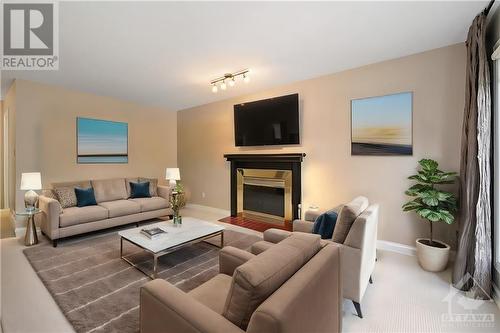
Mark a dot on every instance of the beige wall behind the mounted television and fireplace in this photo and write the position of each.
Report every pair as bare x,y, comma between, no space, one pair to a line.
330,174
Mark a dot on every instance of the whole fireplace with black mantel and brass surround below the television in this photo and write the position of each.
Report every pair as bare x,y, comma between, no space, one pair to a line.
266,186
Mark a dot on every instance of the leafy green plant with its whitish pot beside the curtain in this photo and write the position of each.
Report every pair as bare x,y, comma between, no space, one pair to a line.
434,205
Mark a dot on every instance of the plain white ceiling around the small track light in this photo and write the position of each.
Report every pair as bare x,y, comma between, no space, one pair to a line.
165,53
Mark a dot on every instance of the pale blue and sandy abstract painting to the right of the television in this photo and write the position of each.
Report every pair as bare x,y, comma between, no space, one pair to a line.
382,125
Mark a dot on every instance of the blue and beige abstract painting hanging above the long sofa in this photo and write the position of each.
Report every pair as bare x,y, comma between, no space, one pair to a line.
101,141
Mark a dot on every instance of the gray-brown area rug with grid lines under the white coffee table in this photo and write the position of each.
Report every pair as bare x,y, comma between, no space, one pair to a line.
99,292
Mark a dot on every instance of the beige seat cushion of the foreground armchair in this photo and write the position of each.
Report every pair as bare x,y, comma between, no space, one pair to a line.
213,293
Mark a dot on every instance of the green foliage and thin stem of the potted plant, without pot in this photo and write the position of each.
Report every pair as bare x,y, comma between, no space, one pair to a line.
429,202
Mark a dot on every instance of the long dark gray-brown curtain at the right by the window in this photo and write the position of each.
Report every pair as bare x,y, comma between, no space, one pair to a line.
472,271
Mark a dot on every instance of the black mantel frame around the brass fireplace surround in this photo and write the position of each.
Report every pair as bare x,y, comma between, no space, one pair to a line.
291,161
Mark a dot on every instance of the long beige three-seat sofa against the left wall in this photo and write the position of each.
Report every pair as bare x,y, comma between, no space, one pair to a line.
114,207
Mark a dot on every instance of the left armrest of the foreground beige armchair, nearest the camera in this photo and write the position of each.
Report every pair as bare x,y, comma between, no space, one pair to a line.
165,308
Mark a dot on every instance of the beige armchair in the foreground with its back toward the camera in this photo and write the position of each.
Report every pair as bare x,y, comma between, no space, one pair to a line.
294,287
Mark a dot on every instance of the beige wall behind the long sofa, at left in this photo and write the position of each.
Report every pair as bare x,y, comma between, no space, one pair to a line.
46,135
